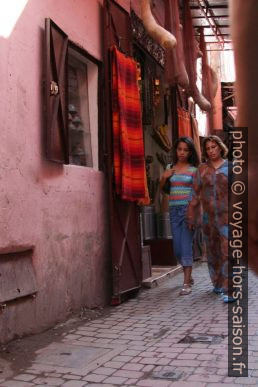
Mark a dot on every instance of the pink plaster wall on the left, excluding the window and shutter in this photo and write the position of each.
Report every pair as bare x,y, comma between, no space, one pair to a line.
60,210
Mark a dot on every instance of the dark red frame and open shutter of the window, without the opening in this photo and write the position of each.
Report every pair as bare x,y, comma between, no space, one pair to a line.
56,136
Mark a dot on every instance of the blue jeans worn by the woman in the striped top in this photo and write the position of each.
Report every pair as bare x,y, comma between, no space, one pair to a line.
182,236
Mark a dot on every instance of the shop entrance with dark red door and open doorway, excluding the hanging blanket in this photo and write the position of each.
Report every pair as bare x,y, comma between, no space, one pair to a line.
140,235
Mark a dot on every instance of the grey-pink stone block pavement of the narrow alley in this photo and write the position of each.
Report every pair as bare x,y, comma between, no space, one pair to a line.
138,343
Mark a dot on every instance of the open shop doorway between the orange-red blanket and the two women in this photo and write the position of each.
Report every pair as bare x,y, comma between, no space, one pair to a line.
158,117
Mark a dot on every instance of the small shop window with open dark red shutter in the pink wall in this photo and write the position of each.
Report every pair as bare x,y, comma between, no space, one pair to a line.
71,101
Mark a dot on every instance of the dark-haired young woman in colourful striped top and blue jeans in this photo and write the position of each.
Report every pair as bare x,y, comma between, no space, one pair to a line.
181,175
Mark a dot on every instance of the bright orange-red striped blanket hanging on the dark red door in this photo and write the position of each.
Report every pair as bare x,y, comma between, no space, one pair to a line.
128,147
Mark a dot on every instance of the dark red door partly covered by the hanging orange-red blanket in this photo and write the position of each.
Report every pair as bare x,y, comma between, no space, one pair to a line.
125,233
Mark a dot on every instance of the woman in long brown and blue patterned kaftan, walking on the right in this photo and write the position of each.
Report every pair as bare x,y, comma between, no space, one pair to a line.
210,189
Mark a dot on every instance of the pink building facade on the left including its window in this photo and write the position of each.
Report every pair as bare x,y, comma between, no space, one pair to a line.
54,240
